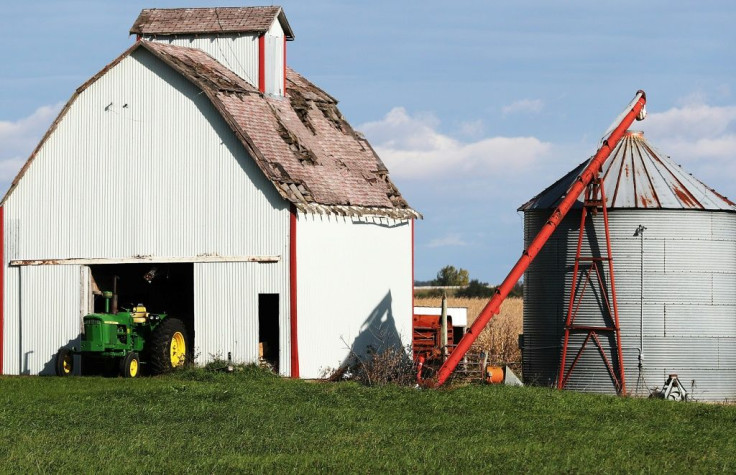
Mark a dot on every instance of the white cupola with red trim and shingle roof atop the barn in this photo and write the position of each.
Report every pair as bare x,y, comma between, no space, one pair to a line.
251,41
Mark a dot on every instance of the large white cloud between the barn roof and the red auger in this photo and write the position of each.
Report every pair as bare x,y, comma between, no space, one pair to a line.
412,147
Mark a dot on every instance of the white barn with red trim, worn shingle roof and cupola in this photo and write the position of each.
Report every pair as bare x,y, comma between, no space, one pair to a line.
199,159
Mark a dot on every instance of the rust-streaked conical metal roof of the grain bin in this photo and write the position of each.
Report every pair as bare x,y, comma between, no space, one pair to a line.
636,175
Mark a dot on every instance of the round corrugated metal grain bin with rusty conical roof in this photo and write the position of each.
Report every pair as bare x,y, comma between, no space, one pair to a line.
673,245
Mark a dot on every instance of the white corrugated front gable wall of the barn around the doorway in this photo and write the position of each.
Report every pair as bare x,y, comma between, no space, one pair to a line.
141,164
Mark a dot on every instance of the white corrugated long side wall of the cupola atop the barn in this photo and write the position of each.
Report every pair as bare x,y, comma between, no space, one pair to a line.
237,52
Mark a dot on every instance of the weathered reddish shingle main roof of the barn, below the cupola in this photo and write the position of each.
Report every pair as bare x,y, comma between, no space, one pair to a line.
301,142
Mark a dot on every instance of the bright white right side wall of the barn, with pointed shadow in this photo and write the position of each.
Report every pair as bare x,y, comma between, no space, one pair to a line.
354,288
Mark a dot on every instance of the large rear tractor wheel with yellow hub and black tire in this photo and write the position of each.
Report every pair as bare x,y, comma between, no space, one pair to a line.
168,347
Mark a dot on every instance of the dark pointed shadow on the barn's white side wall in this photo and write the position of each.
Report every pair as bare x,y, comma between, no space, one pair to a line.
377,333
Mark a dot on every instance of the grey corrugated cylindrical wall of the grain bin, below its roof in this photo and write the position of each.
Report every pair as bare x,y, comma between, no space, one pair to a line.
689,301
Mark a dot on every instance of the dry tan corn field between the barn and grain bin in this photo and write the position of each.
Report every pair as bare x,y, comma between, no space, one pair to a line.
500,337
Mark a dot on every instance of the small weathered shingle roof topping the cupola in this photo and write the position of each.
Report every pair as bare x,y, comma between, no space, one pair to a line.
198,21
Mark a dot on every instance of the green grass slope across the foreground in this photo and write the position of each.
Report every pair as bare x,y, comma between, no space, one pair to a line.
251,421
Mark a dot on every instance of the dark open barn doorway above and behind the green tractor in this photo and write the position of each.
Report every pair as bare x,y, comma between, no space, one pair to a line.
161,288
